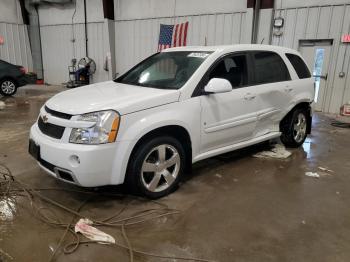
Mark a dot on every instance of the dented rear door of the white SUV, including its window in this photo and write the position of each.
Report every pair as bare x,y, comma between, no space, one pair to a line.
274,90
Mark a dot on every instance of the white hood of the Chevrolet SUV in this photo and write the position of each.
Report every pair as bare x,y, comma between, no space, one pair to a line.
110,95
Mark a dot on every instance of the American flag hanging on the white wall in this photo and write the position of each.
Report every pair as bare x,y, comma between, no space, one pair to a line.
172,35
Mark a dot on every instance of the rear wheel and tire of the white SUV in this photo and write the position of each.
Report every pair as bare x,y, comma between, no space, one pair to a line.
294,128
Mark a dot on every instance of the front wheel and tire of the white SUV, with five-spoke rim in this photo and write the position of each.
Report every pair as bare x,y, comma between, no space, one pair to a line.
148,175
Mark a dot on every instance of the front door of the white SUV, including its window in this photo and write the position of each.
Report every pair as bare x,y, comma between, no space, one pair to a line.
228,118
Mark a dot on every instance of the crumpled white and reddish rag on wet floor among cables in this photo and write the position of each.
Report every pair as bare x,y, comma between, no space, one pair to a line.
84,226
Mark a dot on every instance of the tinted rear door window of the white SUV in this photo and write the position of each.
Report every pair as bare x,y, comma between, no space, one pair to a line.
269,68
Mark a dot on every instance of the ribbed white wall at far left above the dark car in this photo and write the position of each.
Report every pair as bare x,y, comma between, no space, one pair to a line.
16,48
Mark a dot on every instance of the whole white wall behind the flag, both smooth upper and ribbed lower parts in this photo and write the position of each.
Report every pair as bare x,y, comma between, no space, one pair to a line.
137,25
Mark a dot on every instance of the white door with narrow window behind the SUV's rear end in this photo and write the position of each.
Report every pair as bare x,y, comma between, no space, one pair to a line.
316,54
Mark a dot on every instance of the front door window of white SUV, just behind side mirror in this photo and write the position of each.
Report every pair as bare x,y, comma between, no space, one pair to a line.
233,68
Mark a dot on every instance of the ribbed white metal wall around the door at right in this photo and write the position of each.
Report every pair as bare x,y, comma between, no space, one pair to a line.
322,22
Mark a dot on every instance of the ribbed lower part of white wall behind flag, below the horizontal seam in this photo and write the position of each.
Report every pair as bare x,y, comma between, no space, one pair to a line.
138,38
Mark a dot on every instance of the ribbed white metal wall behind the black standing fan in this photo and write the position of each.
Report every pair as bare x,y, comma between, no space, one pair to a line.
58,49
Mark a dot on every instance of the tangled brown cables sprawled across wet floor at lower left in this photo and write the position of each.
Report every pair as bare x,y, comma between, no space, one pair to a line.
11,188
